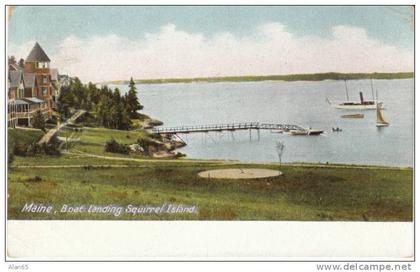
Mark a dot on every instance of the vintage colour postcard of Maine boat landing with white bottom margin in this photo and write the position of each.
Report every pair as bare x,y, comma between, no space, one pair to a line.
200,115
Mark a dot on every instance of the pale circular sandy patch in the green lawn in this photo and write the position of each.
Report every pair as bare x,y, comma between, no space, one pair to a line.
246,173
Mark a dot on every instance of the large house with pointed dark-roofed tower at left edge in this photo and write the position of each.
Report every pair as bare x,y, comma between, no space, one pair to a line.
31,88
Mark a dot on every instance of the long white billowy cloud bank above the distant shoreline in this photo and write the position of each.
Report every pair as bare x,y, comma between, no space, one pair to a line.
268,49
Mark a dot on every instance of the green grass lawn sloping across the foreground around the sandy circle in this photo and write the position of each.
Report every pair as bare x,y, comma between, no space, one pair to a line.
304,192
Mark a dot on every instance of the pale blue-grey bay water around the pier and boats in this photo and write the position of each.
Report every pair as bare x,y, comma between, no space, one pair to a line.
301,103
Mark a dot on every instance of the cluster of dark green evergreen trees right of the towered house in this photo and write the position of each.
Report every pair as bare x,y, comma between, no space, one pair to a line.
109,108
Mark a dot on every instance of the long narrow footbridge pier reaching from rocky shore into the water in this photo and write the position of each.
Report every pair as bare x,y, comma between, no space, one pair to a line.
225,127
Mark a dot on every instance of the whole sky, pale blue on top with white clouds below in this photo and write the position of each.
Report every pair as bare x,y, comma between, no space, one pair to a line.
110,43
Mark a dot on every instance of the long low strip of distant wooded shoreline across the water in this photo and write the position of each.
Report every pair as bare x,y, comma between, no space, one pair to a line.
291,77
